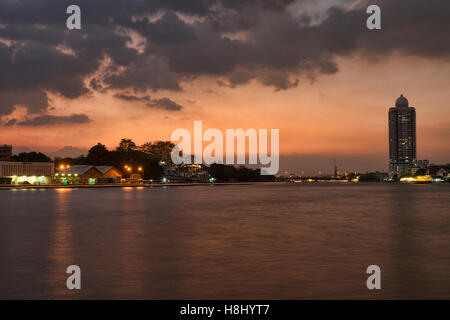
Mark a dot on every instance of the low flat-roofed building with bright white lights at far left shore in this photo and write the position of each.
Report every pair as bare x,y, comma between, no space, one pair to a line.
25,173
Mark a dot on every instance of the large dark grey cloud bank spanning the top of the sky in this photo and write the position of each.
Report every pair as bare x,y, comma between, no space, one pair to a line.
234,41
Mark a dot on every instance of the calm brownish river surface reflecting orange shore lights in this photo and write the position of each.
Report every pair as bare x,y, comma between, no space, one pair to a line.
297,241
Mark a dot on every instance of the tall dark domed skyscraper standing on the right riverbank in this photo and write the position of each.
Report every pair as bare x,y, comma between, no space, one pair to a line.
402,138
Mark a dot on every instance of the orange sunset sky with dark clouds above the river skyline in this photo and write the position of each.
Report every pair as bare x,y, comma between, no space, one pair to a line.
141,69
